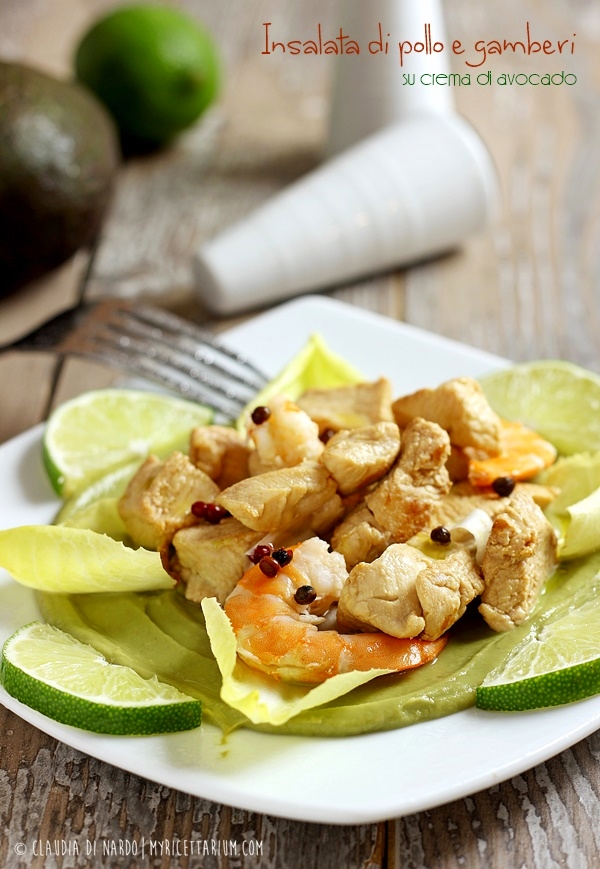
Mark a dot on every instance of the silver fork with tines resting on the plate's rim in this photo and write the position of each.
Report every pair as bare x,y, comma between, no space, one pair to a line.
155,345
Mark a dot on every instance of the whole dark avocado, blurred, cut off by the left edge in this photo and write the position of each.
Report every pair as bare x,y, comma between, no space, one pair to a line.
59,156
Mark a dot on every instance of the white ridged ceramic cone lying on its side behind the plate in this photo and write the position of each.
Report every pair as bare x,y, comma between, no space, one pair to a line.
414,189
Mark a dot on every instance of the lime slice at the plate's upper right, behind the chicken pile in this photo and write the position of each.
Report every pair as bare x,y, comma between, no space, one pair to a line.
559,400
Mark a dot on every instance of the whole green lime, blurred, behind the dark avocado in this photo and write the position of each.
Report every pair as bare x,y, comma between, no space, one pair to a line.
154,67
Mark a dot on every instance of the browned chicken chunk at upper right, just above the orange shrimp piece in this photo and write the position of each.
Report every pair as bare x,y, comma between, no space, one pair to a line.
458,406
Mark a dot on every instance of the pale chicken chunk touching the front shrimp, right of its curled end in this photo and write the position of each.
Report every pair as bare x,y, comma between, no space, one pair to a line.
383,594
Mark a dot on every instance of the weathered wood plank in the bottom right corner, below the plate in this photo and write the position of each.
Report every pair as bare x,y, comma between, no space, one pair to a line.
546,817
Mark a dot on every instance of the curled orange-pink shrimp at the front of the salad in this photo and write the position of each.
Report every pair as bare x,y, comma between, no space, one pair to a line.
281,637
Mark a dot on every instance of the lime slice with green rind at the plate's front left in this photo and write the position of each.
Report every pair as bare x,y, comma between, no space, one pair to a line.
70,682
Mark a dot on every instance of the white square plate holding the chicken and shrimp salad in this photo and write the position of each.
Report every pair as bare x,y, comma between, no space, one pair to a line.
355,780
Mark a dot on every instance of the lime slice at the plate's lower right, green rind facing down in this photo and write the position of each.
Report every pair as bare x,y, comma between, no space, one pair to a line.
557,662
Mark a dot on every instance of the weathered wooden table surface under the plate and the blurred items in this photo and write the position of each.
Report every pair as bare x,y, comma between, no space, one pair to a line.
527,288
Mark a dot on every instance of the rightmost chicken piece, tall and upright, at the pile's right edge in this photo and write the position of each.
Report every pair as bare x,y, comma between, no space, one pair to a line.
519,557
